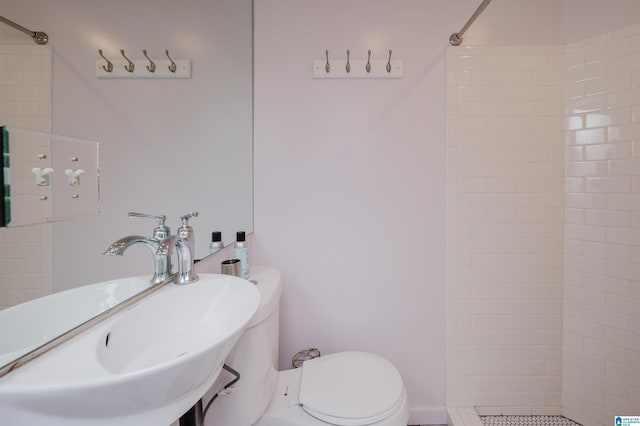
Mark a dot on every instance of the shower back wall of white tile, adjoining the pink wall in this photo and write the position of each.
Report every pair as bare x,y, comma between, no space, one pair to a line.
505,219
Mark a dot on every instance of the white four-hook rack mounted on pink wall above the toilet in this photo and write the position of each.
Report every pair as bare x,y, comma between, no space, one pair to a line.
346,67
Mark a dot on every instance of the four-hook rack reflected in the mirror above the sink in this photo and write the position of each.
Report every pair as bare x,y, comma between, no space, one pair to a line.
142,68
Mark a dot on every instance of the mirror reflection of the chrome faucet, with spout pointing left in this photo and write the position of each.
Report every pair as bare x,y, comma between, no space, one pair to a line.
162,262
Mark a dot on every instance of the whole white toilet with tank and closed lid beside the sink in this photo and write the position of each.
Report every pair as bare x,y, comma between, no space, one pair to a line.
345,388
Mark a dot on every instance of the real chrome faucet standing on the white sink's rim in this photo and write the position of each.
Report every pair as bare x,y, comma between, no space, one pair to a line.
184,241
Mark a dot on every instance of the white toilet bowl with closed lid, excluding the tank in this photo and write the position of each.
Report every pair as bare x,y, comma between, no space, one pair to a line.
345,388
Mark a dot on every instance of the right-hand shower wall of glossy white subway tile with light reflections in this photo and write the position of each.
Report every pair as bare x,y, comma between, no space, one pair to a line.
601,370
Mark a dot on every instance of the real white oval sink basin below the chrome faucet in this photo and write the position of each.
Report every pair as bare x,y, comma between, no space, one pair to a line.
144,366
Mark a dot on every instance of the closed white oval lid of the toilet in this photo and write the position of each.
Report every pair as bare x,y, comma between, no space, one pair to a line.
350,388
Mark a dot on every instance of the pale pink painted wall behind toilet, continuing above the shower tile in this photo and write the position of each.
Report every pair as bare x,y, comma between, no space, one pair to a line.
350,175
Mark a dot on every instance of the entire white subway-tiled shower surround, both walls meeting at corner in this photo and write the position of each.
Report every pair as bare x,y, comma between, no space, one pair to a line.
544,228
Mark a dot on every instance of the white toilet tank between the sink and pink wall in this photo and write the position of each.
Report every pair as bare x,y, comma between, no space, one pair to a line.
255,357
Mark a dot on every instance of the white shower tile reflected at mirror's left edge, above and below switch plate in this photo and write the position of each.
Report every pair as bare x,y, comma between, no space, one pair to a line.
25,101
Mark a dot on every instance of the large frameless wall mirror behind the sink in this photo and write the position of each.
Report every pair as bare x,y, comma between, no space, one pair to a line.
167,146
